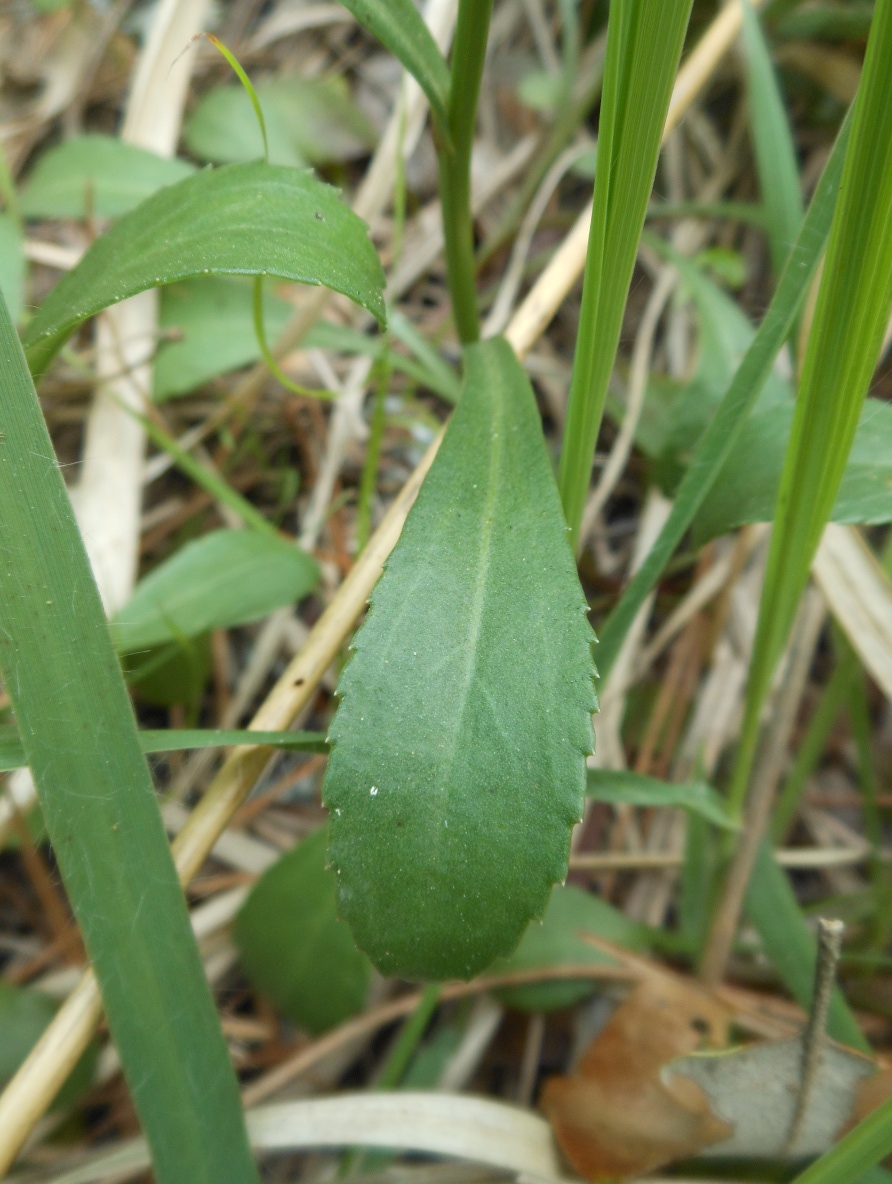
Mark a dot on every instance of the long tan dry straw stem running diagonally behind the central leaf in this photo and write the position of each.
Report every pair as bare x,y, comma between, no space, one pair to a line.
34,1088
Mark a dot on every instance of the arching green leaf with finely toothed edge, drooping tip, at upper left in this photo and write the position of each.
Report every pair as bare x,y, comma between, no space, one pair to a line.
241,220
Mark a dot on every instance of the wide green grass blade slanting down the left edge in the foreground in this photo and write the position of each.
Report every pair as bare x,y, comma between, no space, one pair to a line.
80,737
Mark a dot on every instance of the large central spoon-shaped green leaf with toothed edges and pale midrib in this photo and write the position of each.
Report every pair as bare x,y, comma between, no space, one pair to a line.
458,768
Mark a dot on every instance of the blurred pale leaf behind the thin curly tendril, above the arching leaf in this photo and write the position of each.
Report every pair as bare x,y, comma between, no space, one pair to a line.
310,121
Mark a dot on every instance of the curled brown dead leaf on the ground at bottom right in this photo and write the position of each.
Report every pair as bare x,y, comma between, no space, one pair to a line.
615,1116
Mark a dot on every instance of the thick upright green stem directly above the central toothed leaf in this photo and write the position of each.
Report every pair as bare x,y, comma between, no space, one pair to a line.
467,72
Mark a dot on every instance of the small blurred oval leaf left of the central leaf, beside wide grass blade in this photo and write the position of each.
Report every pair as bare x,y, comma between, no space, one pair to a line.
226,578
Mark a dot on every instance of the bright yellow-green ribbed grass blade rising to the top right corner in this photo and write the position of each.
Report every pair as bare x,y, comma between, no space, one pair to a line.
851,318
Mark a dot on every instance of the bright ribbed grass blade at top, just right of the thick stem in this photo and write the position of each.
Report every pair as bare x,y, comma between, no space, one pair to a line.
644,48
